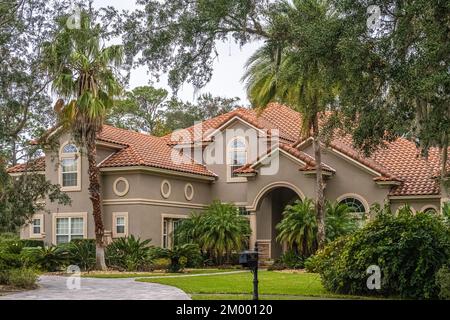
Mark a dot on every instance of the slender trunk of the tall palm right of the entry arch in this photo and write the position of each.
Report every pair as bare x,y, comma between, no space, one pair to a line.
320,212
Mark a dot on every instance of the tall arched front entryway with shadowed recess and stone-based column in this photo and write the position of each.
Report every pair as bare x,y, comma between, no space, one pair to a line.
269,207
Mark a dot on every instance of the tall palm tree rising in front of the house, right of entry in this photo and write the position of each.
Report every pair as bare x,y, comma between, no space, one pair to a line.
300,72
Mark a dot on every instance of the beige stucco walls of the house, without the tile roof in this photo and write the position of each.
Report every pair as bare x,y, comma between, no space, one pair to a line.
144,197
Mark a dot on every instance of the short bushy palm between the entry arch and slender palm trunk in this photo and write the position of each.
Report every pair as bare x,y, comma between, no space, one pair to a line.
298,228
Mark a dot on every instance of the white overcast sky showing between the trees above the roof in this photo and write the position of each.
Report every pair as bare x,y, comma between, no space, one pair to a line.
228,68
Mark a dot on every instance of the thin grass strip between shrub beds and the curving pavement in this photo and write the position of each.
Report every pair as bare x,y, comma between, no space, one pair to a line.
116,275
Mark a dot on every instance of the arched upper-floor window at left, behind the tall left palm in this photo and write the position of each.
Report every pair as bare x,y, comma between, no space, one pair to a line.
70,168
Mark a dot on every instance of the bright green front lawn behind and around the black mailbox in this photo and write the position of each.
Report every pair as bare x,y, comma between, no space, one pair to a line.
272,285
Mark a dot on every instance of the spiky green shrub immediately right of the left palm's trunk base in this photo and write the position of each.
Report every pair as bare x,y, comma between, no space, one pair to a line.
129,253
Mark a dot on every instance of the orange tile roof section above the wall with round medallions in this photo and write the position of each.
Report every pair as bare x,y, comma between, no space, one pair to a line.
145,150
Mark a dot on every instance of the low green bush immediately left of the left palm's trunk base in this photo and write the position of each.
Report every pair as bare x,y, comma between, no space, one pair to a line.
81,252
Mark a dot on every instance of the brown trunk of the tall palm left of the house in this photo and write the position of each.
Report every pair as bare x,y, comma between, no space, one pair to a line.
94,194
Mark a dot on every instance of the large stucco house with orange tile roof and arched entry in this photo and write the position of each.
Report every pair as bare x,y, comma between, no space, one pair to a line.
259,163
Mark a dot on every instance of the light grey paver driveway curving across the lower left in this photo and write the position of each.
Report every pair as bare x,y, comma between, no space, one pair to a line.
54,288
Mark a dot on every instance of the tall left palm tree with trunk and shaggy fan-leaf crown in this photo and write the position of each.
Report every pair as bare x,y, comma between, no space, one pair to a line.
84,75
